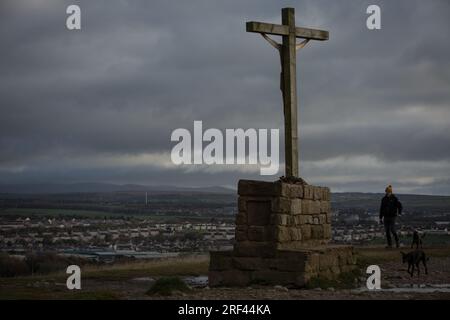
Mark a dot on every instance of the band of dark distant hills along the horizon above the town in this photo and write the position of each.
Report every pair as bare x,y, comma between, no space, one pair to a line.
217,195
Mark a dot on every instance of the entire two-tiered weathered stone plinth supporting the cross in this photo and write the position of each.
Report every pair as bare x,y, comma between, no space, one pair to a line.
282,232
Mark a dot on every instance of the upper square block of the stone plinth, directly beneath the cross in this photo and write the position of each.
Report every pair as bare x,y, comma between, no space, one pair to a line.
282,216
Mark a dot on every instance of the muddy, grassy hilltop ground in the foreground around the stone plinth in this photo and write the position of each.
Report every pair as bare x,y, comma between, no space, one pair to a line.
135,280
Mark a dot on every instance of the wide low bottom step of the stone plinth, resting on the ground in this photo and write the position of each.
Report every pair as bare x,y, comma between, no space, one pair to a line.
279,267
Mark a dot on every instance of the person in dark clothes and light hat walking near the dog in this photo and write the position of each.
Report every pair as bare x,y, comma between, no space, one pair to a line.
390,208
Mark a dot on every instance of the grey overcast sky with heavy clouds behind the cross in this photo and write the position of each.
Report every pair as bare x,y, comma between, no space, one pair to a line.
99,105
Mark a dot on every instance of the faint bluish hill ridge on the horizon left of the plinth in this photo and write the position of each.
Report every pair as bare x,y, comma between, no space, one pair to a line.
103,188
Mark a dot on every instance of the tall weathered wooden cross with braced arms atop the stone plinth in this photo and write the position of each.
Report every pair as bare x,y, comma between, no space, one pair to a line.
288,84
